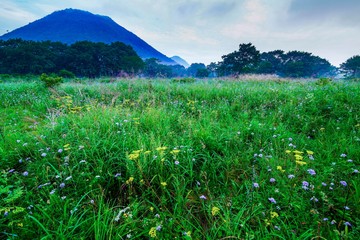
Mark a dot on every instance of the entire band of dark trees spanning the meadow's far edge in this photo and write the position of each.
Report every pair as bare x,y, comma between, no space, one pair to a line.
90,59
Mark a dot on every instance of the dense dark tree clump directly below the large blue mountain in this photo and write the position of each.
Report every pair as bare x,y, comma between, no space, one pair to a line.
83,59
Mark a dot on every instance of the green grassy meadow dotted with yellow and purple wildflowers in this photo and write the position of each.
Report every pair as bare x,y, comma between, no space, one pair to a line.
168,159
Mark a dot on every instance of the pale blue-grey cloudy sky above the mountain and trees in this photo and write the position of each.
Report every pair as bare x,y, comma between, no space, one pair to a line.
204,30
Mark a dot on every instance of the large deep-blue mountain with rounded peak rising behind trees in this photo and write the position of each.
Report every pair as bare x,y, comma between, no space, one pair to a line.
72,25
